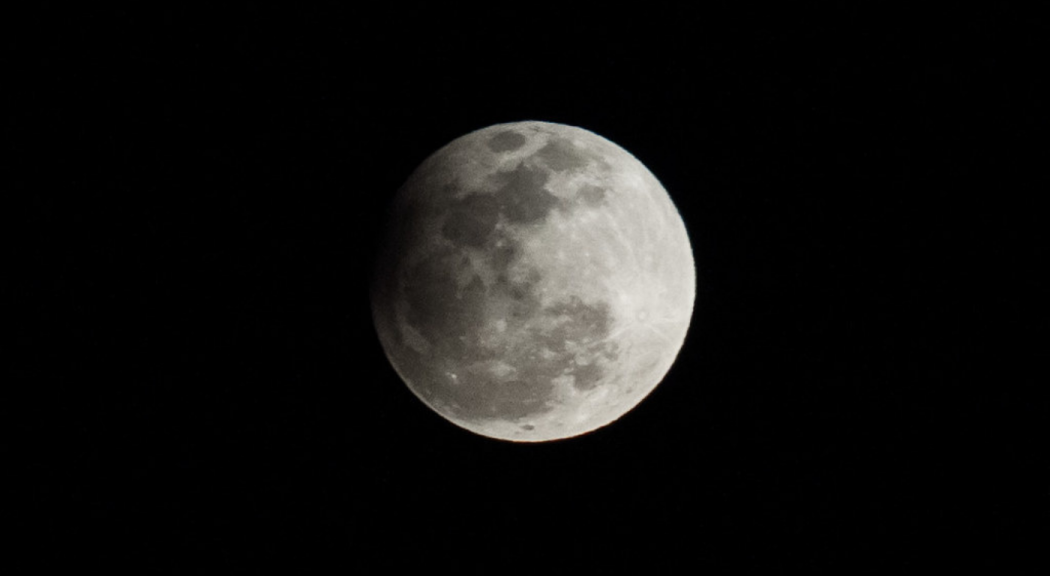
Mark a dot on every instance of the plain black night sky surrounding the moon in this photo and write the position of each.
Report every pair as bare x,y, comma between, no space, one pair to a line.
199,387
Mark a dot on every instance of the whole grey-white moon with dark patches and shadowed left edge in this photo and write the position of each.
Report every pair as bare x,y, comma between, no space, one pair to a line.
536,282
